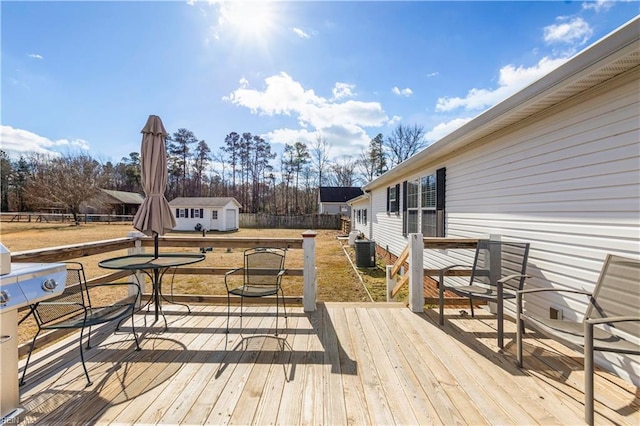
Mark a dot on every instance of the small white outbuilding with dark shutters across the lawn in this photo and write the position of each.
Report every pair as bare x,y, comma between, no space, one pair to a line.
210,213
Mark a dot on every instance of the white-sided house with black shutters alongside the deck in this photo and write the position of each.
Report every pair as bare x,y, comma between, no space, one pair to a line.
557,165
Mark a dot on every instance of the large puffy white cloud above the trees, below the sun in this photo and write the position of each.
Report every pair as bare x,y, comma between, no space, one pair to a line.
282,95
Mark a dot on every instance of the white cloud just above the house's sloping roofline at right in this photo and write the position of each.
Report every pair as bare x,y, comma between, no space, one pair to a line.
511,80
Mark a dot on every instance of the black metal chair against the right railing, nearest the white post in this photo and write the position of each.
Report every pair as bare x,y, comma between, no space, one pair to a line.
513,266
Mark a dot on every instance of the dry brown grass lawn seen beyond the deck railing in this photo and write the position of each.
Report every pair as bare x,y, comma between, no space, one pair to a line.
337,280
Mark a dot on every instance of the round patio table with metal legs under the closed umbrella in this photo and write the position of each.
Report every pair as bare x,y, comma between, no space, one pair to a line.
154,267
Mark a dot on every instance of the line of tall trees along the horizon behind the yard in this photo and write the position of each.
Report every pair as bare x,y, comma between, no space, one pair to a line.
244,167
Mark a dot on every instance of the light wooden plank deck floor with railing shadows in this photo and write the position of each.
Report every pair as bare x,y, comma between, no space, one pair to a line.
344,364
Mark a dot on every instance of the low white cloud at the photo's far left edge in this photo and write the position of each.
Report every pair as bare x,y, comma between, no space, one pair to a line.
16,142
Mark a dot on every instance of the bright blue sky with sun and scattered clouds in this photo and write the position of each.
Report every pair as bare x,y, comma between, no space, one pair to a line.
85,75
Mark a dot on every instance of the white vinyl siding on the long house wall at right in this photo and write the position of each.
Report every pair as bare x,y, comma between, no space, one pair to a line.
566,180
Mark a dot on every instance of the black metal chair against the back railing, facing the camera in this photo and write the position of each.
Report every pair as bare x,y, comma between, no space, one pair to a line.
261,277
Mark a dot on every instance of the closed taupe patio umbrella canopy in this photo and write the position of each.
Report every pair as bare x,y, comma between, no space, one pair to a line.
154,215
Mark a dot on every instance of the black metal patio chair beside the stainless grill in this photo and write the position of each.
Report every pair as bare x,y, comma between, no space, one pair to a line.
73,309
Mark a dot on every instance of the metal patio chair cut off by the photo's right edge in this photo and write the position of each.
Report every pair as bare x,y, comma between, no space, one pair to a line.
611,322
